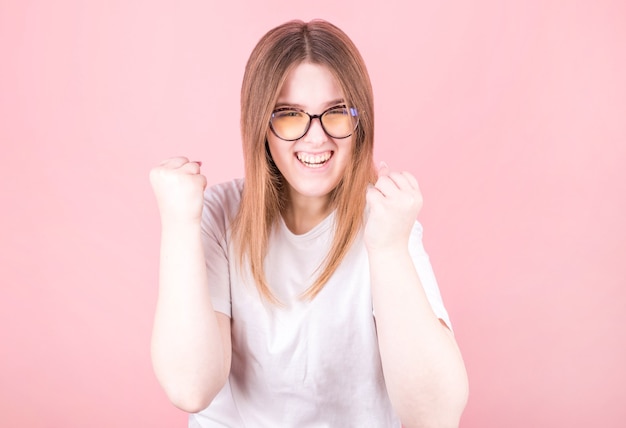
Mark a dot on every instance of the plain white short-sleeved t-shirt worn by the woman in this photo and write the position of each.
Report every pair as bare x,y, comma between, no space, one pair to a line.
308,363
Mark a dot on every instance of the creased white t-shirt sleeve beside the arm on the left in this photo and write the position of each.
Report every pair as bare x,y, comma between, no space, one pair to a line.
216,218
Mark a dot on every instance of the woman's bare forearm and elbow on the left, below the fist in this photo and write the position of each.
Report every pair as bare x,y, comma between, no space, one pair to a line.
191,356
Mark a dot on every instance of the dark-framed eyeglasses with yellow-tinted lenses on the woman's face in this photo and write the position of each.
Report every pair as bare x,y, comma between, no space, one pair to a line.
291,124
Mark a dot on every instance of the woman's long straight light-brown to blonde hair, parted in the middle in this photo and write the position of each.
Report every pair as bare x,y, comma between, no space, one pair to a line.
277,53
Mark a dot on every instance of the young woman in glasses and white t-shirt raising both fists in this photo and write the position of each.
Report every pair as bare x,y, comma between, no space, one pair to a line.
302,296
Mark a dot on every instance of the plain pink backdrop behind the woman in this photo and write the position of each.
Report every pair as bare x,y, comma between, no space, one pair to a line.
511,113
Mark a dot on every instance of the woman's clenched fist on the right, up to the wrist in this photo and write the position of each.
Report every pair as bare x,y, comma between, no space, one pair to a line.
394,202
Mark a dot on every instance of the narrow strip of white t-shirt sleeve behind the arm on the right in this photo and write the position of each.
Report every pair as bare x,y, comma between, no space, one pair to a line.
426,274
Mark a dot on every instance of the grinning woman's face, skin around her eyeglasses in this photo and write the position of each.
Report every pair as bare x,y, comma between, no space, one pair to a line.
314,164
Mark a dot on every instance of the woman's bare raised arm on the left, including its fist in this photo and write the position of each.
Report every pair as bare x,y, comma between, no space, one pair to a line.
191,347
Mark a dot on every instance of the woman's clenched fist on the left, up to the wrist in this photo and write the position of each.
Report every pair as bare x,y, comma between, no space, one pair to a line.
179,187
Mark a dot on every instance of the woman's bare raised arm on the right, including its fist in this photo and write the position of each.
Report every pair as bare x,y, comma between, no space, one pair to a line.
423,368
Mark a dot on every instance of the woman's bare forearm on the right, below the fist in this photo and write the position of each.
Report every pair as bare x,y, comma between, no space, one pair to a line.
424,372
